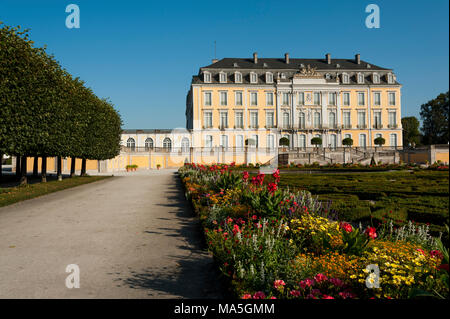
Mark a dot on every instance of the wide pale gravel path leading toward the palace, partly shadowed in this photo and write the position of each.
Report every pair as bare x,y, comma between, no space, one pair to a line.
131,237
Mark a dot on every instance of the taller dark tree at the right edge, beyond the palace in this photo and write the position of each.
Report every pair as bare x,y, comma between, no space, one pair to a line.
434,115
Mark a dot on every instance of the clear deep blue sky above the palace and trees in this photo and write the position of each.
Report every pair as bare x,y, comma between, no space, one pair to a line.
142,54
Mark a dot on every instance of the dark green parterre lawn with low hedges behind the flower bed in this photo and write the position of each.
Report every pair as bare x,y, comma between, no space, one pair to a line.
420,196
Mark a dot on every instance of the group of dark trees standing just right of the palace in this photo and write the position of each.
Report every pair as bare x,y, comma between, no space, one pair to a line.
435,118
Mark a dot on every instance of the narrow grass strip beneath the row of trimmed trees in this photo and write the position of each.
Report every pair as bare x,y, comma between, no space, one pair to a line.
11,195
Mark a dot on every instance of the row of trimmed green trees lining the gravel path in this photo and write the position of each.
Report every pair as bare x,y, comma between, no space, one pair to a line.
45,112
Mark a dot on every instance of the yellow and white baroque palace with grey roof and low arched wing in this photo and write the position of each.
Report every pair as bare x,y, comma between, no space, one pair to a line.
237,109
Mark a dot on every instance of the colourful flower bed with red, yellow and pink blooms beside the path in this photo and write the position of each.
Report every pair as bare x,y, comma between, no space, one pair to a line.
274,243
